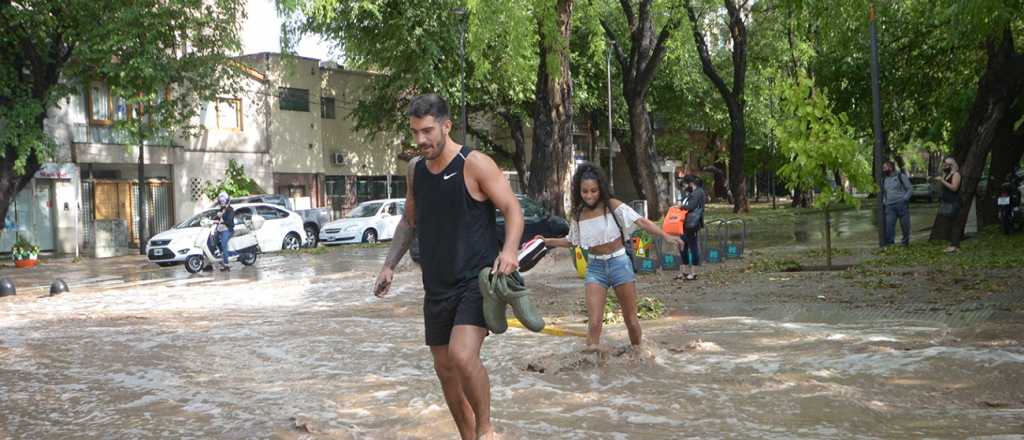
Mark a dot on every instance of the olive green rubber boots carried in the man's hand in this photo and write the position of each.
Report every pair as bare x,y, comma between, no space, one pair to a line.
502,291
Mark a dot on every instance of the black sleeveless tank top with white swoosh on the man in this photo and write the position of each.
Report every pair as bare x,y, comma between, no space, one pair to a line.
456,233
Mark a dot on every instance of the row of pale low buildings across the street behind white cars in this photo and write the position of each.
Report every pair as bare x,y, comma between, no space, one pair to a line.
288,127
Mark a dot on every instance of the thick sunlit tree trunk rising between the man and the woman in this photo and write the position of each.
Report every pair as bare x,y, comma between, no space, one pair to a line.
552,160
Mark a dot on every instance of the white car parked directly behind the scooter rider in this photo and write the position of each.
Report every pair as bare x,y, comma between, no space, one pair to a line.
282,230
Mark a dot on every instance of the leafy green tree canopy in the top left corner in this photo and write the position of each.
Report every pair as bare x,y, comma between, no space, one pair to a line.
51,49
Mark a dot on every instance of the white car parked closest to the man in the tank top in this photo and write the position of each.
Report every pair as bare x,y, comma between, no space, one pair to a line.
369,223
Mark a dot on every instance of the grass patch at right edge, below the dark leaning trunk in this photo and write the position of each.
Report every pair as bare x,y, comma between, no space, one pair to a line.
990,250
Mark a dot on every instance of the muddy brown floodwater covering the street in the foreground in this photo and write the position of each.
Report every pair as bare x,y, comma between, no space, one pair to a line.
308,354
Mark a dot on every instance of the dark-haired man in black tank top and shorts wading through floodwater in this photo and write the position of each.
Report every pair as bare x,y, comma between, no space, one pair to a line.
450,207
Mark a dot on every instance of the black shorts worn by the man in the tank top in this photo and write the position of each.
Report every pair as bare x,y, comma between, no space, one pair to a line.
464,307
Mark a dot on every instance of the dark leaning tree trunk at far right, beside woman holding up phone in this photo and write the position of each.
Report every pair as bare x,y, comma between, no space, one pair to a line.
999,85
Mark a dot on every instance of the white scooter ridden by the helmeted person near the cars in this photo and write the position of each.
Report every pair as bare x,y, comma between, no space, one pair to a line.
244,243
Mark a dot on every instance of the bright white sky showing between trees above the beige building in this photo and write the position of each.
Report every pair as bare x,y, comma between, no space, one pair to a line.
262,33
